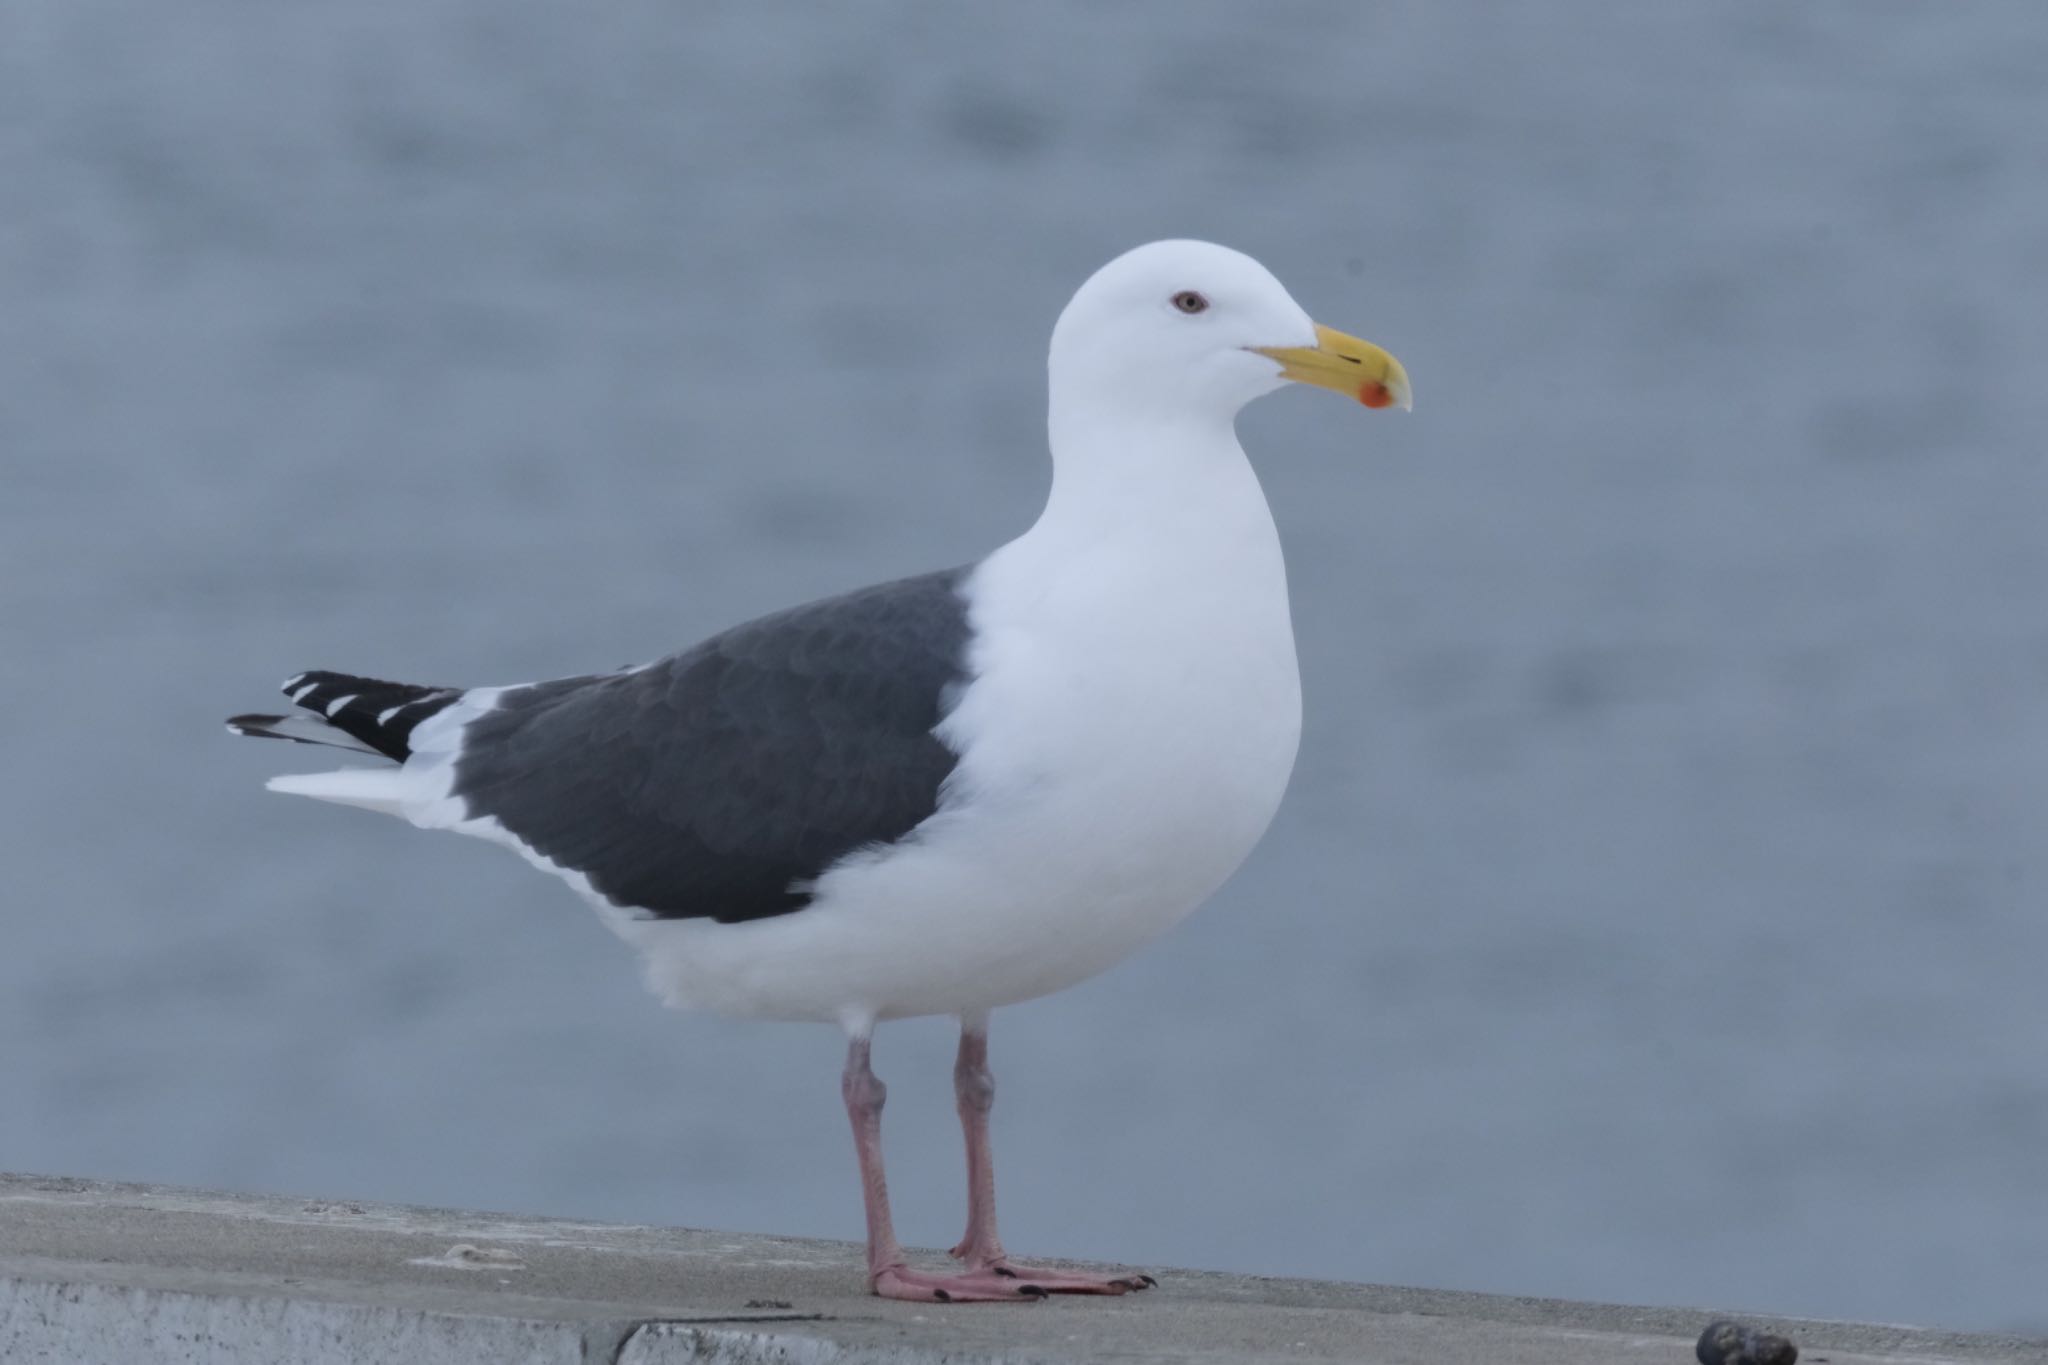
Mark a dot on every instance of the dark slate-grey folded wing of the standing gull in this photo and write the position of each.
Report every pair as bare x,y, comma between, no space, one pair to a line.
722,781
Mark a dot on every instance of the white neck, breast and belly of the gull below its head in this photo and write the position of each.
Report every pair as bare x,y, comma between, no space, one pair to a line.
1125,740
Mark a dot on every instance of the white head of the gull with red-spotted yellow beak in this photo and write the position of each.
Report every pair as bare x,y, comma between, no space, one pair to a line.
1191,326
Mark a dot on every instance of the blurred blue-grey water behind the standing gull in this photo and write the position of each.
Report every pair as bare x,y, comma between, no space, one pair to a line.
1658,910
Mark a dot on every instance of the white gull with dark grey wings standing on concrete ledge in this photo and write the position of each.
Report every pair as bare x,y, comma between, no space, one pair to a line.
939,795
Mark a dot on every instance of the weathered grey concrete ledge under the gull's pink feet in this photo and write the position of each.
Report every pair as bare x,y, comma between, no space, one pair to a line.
124,1274
